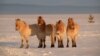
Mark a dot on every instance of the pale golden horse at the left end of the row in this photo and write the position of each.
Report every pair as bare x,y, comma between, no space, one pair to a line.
25,32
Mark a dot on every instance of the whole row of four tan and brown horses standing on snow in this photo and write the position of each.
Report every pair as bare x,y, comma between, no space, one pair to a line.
41,30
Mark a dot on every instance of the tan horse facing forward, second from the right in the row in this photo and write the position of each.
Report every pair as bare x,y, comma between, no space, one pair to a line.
60,32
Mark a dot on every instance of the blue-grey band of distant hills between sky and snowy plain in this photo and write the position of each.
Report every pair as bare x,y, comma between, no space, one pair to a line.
31,9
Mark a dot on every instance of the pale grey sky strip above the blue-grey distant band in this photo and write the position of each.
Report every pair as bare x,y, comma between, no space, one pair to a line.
54,2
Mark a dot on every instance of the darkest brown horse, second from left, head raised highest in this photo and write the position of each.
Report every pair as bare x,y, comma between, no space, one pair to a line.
45,30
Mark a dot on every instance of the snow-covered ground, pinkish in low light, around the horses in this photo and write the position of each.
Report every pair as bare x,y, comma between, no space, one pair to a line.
88,42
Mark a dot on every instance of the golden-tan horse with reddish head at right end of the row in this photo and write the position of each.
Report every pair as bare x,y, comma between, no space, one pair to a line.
72,32
